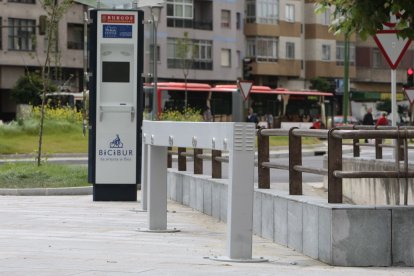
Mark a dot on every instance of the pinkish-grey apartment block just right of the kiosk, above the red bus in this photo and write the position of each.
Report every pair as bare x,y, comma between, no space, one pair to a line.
214,29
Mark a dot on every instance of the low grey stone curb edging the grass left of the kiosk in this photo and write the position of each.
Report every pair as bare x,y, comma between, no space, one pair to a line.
47,191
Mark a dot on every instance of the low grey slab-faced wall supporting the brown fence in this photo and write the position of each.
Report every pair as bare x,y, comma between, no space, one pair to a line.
337,234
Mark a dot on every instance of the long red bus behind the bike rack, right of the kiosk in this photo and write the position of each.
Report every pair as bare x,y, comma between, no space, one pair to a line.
227,104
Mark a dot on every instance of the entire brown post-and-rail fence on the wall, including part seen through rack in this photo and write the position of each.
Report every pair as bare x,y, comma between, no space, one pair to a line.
336,137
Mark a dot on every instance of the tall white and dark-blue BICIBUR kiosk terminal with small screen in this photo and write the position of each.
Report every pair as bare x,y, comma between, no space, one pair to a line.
115,104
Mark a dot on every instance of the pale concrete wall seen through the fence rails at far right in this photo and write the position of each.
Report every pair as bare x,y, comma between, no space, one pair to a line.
374,191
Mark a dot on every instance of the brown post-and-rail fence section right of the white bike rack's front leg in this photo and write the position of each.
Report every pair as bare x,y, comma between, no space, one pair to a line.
334,172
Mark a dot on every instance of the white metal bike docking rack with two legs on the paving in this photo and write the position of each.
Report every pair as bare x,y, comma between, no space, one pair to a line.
236,138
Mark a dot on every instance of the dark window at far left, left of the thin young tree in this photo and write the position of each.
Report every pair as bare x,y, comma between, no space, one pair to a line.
21,34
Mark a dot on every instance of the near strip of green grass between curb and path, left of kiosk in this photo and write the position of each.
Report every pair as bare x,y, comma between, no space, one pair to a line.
29,175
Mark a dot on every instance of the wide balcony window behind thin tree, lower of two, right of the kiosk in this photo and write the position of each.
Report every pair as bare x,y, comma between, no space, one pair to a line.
198,56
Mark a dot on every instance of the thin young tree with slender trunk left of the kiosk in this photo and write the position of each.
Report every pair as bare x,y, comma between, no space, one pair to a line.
54,12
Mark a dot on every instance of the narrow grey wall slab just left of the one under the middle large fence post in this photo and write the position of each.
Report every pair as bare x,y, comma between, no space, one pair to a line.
281,220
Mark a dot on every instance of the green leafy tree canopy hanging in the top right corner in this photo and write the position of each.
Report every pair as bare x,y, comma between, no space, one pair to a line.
366,17
